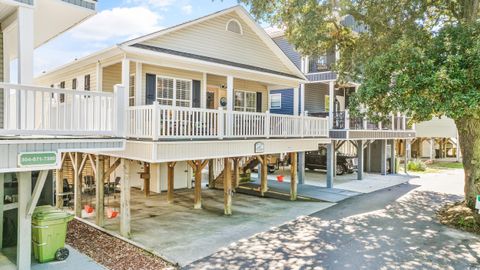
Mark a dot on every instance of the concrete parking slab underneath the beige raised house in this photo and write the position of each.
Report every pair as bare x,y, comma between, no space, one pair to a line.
181,234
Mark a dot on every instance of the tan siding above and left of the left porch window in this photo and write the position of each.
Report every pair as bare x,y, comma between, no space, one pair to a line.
168,72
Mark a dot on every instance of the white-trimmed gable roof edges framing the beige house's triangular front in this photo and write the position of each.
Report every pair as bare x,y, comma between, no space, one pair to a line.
240,11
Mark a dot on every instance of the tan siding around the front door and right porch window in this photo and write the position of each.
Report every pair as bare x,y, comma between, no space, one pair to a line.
240,84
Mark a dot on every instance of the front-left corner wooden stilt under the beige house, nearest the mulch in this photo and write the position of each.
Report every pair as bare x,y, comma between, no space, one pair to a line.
125,200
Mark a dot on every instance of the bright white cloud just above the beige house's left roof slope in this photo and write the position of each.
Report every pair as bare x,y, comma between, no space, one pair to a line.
118,23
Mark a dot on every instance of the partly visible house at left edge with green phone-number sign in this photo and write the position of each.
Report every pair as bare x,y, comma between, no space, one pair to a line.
31,136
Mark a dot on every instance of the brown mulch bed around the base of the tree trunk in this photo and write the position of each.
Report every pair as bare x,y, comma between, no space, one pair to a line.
459,216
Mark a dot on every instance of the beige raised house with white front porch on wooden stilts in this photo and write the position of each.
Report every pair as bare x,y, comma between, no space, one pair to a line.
195,93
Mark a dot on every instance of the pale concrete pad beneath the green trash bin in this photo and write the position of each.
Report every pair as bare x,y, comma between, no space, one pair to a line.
75,261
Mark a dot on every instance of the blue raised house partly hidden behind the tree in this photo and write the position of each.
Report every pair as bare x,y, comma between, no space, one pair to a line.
323,96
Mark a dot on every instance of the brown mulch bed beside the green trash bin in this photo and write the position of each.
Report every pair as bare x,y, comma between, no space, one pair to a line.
110,251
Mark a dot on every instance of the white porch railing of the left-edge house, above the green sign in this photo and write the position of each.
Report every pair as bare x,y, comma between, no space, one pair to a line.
32,110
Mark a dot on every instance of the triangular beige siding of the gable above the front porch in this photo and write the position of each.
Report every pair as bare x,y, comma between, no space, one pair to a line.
210,38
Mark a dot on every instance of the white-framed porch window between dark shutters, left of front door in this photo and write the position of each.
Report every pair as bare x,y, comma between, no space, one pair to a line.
174,92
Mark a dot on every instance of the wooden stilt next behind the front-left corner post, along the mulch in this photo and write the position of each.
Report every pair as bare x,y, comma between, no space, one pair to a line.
99,192
